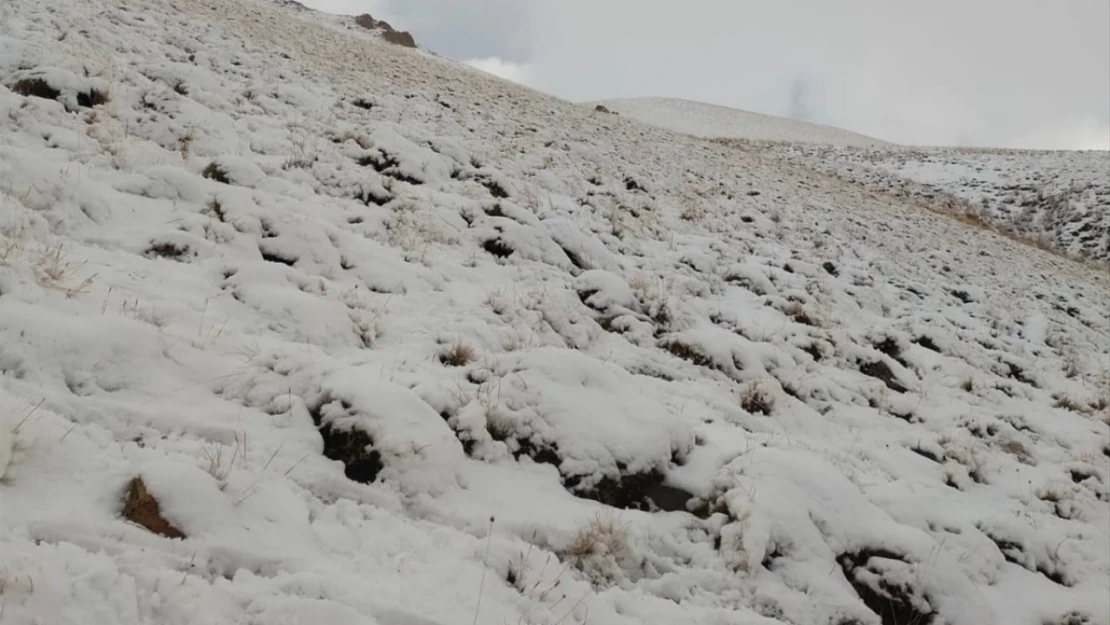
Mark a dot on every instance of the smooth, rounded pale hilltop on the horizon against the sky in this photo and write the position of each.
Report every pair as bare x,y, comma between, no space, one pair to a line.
711,122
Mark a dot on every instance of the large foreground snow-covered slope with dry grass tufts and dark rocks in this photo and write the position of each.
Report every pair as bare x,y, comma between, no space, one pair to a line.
301,327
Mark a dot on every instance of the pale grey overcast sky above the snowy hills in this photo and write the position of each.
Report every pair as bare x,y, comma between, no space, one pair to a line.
1015,74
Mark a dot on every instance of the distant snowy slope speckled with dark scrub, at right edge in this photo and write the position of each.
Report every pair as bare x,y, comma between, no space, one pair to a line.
1058,199
